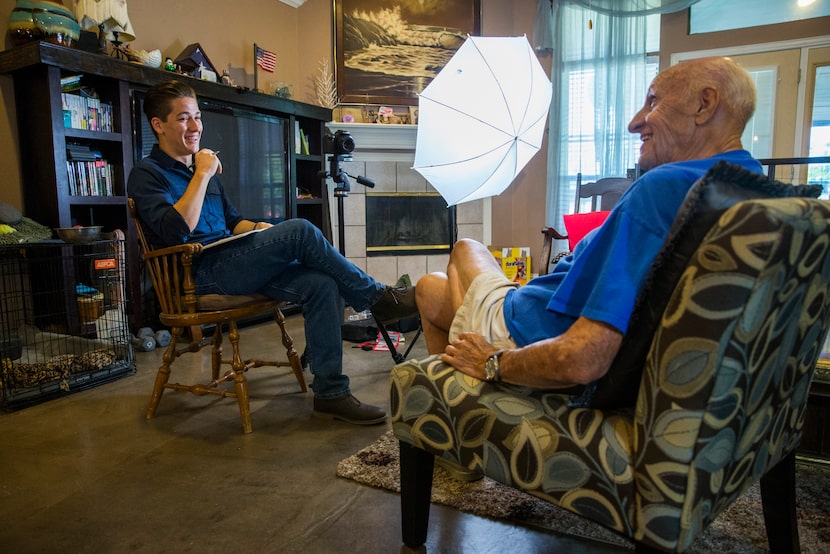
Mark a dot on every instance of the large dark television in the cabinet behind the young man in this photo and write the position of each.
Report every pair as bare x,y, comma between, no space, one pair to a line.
252,147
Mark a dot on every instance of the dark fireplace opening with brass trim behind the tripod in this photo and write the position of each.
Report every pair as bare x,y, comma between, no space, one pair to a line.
401,224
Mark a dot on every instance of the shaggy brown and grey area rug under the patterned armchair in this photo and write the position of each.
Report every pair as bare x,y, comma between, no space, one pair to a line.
739,529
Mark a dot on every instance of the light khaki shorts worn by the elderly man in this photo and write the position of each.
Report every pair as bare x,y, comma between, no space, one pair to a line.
482,310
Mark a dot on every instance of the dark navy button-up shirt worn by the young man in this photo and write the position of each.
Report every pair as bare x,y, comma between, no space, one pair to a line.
157,182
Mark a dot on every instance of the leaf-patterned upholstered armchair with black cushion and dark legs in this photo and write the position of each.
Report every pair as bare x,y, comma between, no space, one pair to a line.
716,403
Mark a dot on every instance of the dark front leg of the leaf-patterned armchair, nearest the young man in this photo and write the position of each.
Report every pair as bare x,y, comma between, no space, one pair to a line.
416,489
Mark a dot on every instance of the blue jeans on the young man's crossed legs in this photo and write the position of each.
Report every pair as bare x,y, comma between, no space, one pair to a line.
293,261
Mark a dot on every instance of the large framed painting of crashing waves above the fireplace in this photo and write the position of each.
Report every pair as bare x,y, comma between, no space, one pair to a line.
387,52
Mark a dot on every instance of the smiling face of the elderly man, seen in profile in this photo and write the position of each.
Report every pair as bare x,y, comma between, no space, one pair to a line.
666,123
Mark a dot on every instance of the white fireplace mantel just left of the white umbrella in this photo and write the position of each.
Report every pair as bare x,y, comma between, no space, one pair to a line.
380,142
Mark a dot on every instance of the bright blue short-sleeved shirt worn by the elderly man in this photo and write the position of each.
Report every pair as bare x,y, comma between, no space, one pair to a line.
607,269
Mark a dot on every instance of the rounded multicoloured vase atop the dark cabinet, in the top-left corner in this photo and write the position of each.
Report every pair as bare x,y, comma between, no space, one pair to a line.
42,20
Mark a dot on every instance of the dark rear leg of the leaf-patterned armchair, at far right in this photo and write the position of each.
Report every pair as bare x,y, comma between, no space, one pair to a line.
778,500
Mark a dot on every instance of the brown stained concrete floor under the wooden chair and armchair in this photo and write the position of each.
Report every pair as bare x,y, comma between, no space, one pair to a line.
88,473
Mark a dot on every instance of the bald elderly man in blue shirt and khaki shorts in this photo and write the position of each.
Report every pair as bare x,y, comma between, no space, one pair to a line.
564,329
